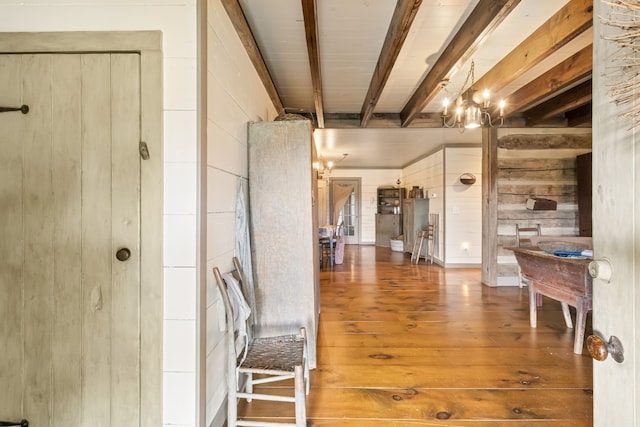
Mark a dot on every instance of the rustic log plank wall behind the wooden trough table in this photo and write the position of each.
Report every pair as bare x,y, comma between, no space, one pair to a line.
541,165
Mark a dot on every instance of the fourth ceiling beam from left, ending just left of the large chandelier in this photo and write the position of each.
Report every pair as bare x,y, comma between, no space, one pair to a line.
484,19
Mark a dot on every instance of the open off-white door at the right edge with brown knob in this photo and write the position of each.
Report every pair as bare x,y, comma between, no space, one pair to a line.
616,236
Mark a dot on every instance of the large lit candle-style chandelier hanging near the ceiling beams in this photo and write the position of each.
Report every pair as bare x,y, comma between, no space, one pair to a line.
471,111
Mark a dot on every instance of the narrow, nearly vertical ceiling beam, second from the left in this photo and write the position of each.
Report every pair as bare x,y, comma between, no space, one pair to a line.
309,12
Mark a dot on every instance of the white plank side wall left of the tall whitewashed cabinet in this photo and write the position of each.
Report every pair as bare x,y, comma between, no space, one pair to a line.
235,96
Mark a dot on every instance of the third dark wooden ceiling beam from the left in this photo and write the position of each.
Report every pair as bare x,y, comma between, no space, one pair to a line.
403,17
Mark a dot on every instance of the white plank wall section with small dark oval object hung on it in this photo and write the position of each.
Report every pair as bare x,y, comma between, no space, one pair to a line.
463,206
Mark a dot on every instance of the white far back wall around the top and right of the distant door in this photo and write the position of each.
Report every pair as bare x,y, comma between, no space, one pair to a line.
371,180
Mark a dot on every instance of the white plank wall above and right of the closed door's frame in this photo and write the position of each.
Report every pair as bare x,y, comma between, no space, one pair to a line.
177,21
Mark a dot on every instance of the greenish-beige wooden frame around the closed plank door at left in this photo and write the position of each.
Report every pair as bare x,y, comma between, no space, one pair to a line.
148,44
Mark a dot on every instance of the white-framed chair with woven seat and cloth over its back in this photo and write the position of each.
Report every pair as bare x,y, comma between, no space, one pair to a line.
261,360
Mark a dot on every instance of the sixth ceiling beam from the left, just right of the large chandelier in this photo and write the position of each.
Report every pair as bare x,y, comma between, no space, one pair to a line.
567,73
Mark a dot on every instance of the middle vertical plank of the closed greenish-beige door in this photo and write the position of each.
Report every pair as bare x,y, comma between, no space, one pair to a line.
66,179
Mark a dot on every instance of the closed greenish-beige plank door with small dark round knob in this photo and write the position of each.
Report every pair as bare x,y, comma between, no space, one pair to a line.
70,199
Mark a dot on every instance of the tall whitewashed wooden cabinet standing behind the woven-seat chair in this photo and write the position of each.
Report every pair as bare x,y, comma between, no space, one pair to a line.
284,228
